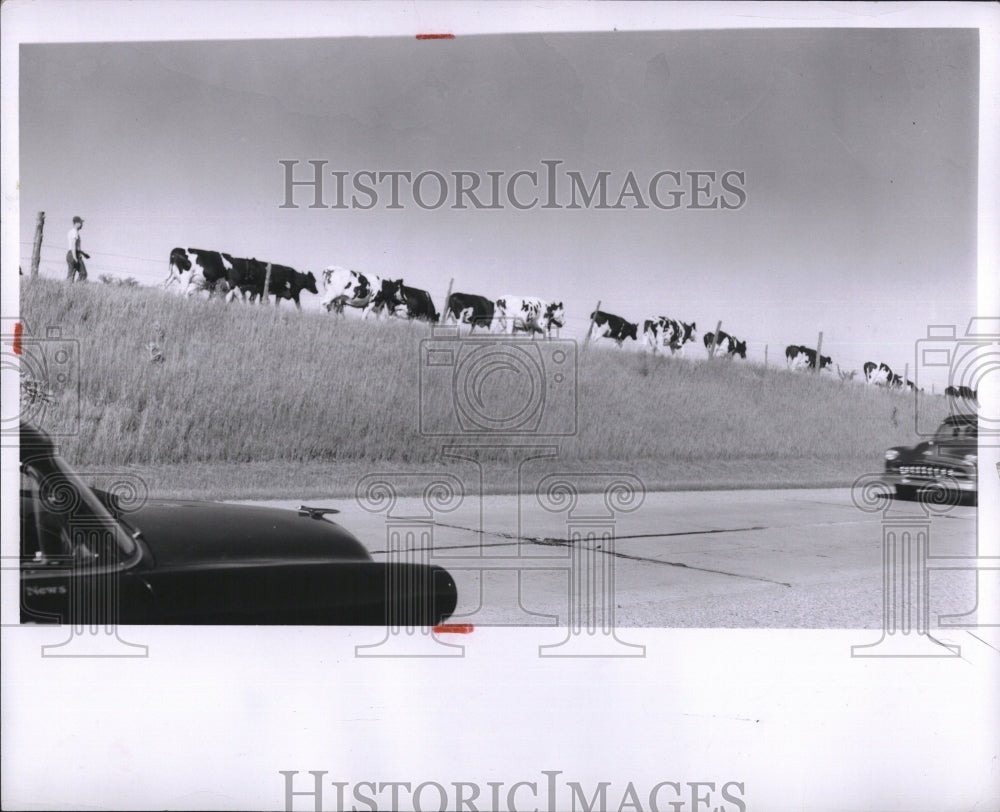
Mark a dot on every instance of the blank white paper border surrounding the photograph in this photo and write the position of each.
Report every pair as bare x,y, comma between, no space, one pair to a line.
788,713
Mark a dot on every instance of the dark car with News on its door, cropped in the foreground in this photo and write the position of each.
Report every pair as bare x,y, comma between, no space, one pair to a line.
84,559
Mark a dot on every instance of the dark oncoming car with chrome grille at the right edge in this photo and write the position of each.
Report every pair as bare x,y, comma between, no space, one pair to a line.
947,460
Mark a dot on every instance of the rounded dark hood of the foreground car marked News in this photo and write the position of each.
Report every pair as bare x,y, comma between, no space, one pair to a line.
185,533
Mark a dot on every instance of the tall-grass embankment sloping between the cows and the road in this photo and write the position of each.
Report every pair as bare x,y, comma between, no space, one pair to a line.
250,402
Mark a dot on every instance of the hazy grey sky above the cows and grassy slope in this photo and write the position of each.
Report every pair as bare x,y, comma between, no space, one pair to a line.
859,149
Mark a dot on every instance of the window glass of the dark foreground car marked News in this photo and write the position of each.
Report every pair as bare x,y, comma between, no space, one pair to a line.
62,518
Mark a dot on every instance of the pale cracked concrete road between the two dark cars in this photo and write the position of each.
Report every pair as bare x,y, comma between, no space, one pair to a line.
722,559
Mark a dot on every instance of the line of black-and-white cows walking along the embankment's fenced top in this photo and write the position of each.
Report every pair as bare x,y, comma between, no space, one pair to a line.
219,273
